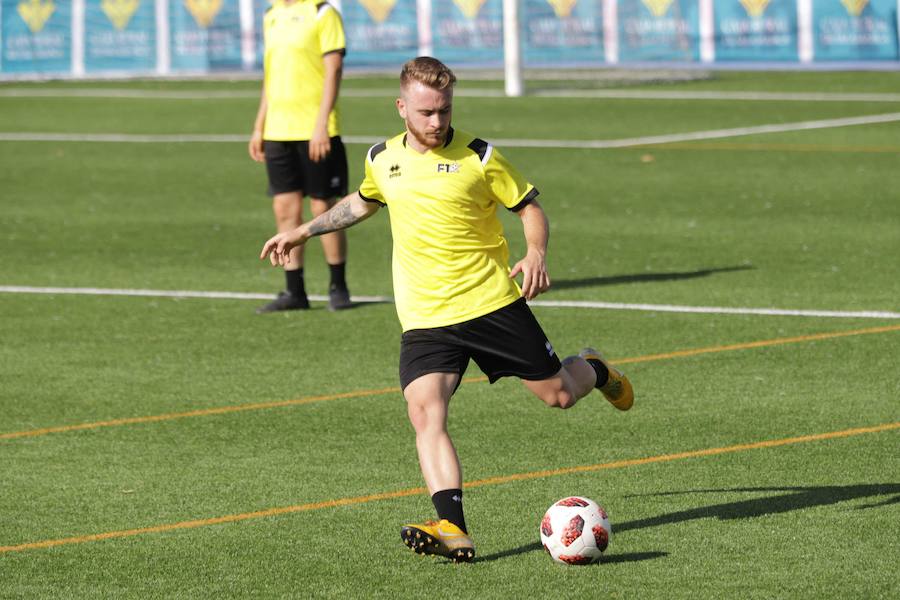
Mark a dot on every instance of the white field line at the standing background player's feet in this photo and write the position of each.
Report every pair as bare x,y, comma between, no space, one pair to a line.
722,310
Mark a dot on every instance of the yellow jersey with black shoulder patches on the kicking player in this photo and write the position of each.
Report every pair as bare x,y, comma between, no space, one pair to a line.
450,260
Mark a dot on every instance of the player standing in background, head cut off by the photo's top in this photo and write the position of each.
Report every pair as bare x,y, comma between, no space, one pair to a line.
297,134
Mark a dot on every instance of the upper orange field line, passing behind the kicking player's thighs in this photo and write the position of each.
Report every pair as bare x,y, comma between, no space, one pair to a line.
396,390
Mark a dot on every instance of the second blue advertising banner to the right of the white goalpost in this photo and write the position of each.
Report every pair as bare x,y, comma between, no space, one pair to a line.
659,30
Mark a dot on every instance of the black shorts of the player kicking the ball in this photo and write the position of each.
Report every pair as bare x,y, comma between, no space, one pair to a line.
506,342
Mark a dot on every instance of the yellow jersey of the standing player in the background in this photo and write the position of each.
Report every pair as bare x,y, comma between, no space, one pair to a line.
296,37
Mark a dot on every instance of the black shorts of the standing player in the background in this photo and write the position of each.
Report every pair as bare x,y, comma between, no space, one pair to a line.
291,170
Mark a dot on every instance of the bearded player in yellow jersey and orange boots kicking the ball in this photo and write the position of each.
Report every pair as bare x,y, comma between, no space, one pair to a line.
456,295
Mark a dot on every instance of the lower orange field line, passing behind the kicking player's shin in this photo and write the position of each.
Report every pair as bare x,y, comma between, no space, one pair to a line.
353,501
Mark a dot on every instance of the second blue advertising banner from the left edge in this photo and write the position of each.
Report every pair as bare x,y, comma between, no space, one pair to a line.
119,35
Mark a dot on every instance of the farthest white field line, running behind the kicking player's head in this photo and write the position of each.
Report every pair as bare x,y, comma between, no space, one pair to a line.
118,93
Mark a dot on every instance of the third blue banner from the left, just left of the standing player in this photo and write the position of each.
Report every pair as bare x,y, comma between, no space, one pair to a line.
205,35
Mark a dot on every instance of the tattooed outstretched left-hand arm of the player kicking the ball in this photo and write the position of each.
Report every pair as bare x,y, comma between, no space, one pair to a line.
349,211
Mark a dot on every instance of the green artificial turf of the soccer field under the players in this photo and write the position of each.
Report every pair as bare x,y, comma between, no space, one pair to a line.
283,444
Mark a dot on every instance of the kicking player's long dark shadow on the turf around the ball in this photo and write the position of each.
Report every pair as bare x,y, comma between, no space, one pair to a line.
794,498
